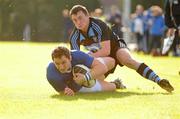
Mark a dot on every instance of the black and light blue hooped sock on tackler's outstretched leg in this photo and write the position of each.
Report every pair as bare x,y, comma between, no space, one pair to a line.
148,73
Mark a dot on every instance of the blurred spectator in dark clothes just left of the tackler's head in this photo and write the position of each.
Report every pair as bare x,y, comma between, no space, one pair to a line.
68,25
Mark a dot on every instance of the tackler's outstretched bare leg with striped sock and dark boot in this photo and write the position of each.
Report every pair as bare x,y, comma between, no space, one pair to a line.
124,57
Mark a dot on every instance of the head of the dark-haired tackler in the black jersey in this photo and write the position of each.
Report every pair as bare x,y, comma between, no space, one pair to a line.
80,17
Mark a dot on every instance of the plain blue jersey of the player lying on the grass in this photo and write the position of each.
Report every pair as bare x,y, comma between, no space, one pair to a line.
60,80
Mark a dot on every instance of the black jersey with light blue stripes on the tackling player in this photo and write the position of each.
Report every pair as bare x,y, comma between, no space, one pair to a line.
98,31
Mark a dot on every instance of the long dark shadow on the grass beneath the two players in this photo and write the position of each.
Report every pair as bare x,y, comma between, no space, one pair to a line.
101,95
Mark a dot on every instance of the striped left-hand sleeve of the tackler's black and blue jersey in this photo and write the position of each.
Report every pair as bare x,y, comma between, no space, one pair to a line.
74,43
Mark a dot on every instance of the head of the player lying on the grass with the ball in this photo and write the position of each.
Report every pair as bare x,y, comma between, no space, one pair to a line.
61,57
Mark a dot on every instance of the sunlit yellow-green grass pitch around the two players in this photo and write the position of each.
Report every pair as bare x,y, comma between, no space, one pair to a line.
26,94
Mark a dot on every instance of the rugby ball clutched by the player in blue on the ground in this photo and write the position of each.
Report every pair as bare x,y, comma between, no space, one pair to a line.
88,81
